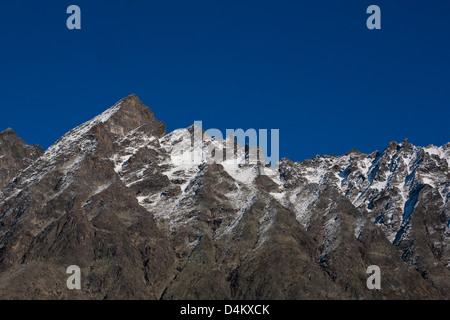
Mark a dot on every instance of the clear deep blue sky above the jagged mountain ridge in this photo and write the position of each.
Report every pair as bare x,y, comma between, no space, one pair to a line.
309,68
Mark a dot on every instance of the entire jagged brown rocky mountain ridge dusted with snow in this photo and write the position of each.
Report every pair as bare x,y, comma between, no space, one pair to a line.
125,201
